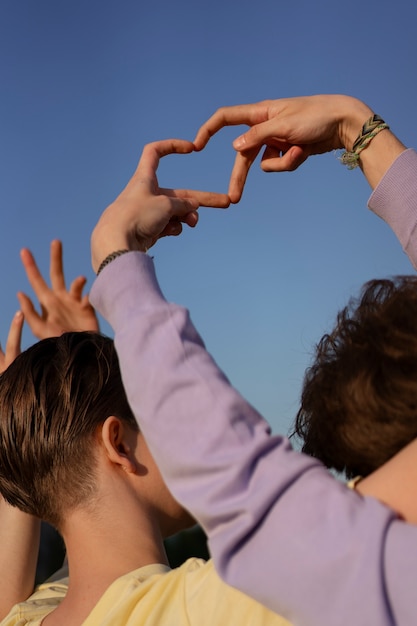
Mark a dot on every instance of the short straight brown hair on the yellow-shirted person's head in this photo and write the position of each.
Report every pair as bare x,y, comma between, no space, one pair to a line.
52,399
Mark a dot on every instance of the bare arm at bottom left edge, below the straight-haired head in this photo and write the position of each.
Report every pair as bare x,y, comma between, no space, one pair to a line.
19,541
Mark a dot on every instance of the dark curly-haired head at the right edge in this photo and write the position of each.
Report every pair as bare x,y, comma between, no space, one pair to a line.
359,399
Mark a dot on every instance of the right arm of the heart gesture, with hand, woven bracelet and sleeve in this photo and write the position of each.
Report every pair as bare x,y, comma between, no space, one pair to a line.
290,130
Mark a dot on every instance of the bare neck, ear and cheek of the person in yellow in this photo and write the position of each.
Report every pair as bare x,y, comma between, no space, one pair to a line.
130,497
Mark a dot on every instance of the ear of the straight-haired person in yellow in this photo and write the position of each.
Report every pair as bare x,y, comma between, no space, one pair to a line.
117,441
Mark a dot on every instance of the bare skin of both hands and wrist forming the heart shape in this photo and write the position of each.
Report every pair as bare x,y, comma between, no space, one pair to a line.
289,130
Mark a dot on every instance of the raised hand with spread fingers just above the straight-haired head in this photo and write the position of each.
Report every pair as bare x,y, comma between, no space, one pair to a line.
61,309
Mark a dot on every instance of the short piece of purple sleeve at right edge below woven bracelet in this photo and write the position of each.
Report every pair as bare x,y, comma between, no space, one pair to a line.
395,201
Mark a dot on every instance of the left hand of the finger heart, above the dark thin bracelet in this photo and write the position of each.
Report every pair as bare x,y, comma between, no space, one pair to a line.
145,212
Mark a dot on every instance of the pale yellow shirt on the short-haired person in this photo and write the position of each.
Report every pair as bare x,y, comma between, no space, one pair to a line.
154,595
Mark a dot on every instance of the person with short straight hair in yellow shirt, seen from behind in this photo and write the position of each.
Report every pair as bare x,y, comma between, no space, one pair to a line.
72,454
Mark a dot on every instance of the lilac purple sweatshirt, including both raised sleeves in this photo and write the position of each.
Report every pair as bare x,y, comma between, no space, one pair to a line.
280,527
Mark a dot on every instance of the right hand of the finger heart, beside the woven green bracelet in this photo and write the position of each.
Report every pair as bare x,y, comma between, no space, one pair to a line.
291,129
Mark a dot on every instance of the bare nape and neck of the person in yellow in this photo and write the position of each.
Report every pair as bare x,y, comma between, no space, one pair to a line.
101,547
